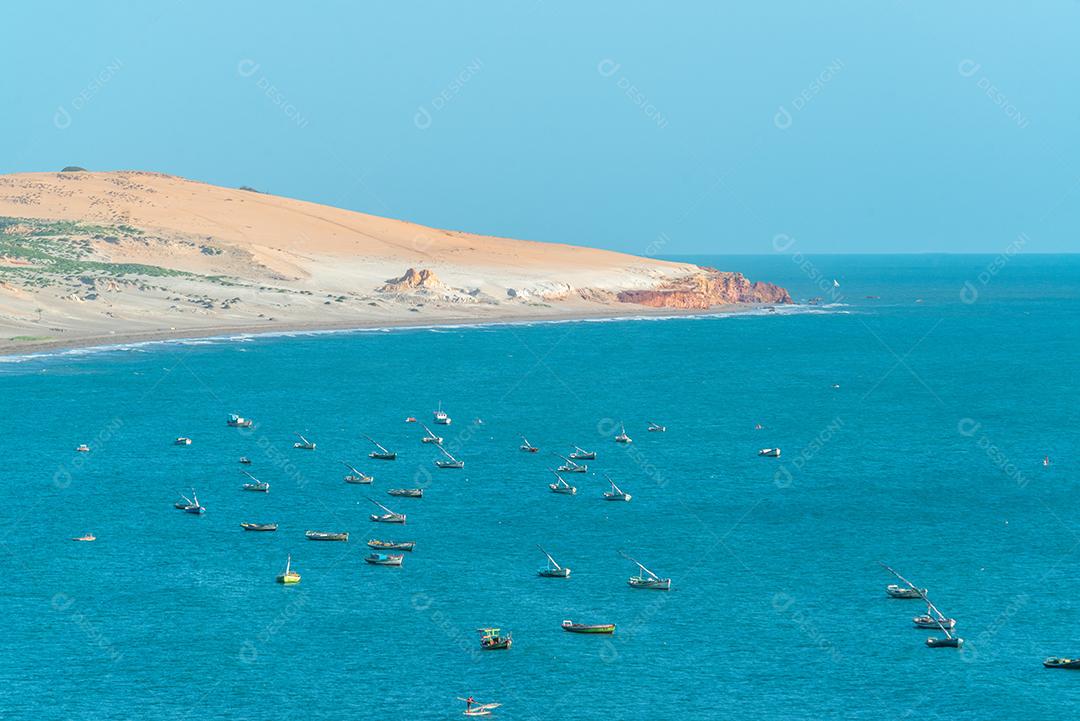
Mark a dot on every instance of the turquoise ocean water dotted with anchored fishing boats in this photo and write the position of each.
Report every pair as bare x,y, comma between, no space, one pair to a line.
928,457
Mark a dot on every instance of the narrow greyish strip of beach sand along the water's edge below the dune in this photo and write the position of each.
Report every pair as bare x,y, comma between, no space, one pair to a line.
44,348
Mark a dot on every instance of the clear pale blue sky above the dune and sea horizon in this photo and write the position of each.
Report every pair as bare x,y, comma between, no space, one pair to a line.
666,129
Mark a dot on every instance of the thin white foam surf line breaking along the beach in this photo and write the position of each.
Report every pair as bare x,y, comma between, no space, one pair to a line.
250,337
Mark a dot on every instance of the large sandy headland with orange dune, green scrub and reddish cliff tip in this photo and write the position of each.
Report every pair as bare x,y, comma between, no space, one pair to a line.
91,256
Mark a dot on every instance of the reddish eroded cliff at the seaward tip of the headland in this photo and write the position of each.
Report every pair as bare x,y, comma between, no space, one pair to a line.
710,288
